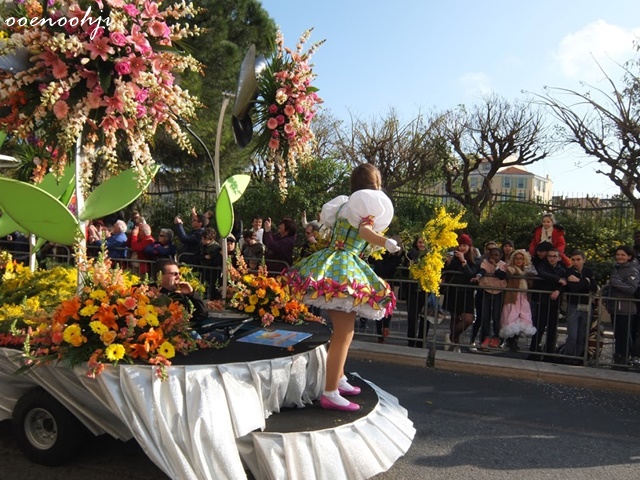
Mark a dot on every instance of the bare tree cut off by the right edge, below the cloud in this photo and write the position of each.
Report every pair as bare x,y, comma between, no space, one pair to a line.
607,128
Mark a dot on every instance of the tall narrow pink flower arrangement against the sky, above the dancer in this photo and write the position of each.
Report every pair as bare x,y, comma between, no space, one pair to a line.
286,106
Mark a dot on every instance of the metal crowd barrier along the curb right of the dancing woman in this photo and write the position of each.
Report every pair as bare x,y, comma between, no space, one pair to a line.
420,320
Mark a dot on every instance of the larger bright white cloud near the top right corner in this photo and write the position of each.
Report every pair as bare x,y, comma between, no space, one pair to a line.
577,53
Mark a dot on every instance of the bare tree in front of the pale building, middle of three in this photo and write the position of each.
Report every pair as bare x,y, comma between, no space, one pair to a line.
494,131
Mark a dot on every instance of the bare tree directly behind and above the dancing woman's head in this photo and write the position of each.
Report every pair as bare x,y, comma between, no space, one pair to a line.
405,153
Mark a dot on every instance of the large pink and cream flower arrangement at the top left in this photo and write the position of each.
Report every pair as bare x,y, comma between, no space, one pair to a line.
100,70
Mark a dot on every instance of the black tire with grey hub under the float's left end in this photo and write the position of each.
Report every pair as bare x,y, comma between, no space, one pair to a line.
46,431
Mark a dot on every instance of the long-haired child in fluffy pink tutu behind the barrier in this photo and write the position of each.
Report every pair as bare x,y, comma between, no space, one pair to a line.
516,311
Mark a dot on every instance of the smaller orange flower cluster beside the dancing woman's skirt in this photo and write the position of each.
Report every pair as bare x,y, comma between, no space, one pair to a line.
265,297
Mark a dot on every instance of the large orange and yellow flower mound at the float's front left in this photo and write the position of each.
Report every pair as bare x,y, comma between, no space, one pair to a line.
110,322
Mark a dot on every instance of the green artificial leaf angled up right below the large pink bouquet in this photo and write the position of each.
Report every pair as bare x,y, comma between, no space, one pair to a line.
114,194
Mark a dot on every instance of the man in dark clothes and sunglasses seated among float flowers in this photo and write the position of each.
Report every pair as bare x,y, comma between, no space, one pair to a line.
172,285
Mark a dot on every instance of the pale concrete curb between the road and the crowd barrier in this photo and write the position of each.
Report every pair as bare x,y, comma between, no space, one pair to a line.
585,377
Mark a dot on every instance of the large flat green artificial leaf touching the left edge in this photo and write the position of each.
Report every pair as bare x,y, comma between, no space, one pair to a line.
38,212
